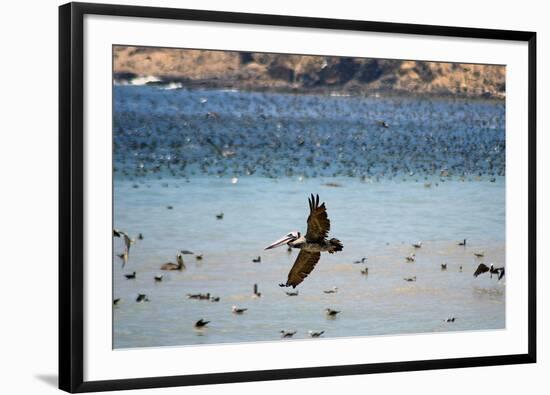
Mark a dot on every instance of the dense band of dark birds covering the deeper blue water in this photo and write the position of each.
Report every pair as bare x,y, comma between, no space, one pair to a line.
163,134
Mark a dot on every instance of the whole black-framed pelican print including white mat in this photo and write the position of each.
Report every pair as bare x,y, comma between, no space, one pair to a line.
253,197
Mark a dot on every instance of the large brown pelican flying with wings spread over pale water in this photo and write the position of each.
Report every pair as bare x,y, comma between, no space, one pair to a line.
311,244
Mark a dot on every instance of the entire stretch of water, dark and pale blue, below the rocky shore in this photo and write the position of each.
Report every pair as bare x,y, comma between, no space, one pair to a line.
376,213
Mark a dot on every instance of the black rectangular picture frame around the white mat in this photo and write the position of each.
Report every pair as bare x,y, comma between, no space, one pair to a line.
71,203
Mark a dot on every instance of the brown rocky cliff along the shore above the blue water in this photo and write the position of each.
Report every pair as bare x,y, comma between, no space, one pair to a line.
262,71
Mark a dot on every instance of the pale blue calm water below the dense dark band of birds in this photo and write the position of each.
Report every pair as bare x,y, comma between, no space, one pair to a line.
378,220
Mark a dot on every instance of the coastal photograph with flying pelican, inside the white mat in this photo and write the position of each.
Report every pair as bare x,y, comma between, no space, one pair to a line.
272,197
